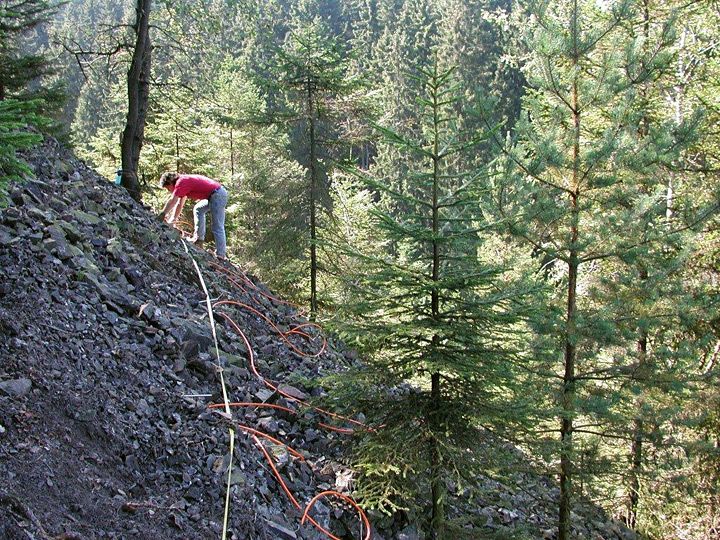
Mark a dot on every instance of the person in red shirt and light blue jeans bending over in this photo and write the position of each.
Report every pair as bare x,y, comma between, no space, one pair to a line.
211,196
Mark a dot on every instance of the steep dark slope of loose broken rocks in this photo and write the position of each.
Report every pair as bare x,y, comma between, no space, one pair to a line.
108,368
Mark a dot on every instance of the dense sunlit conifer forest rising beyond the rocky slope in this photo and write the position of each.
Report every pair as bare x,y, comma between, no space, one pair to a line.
508,208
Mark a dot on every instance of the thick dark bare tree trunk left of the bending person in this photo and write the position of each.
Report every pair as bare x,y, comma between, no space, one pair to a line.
138,93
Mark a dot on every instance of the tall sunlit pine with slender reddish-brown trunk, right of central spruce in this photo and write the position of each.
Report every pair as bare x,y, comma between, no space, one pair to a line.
587,195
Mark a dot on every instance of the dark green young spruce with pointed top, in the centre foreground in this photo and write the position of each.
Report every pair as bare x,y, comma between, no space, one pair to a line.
437,321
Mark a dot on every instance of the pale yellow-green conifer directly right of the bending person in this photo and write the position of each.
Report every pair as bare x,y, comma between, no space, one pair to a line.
266,183
